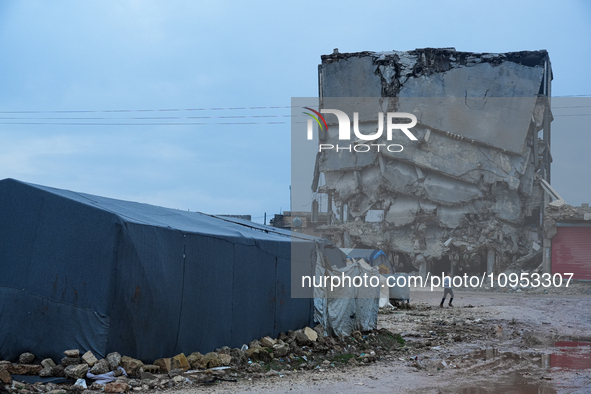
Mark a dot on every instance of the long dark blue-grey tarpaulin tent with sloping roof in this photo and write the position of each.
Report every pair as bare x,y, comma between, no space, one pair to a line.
93,273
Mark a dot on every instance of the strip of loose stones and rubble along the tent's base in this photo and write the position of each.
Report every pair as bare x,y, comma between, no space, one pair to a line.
305,349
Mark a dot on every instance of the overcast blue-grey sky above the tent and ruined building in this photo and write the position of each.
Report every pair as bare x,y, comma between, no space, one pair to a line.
162,81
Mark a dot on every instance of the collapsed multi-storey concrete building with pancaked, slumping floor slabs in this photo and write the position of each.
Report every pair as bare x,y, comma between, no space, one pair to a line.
467,194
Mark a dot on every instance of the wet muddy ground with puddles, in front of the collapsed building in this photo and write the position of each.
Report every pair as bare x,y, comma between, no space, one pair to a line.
490,342
